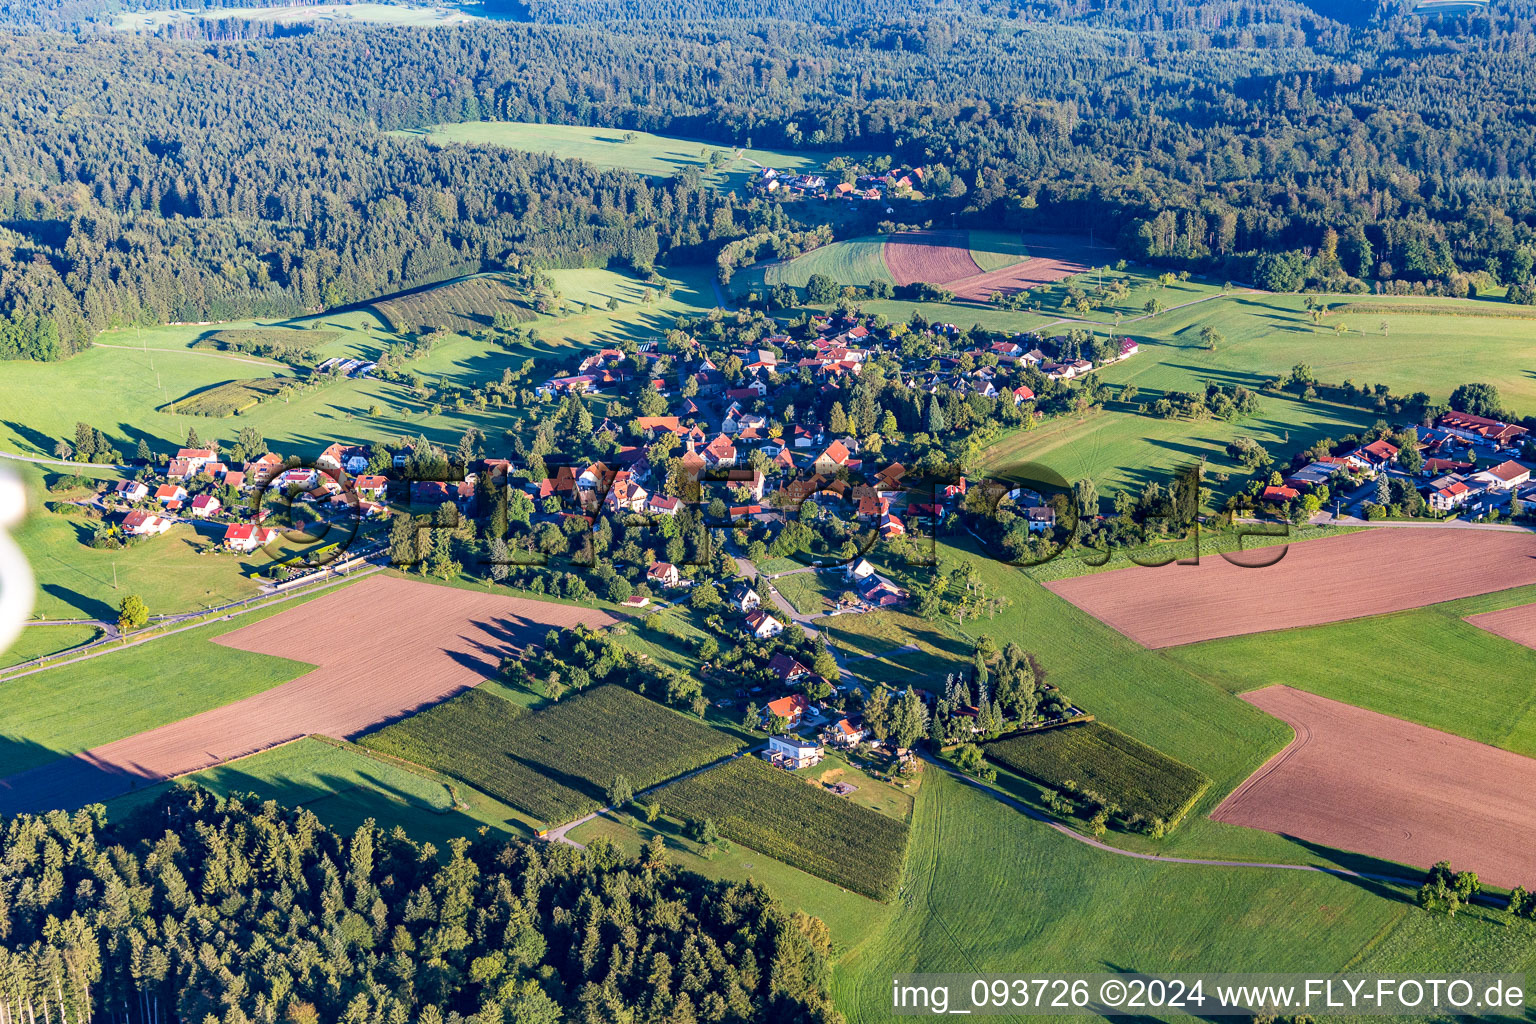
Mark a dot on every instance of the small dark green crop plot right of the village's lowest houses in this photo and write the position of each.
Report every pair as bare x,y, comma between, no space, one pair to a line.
1105,761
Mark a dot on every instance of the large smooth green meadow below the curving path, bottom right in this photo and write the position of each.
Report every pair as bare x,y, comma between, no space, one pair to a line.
995,890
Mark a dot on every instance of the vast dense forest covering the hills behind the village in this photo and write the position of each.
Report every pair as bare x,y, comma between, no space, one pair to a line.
164,179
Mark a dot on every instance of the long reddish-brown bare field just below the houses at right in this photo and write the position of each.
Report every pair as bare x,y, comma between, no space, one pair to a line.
1366,573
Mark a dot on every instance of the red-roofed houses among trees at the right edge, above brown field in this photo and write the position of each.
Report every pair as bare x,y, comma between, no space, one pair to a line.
1448,477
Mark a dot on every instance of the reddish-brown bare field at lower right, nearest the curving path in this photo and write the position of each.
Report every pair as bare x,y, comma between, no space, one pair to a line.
1365,782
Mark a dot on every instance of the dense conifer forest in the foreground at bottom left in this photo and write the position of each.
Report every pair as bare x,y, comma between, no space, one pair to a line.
210,910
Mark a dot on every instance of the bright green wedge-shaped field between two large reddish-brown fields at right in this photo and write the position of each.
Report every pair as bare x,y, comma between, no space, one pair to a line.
1400,666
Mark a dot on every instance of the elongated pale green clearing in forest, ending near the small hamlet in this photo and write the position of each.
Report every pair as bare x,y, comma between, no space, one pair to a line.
620,150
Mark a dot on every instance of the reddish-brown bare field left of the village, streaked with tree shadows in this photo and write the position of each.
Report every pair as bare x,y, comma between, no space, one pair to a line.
382,650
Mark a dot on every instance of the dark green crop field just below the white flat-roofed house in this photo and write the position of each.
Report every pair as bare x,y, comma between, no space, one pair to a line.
773,811
